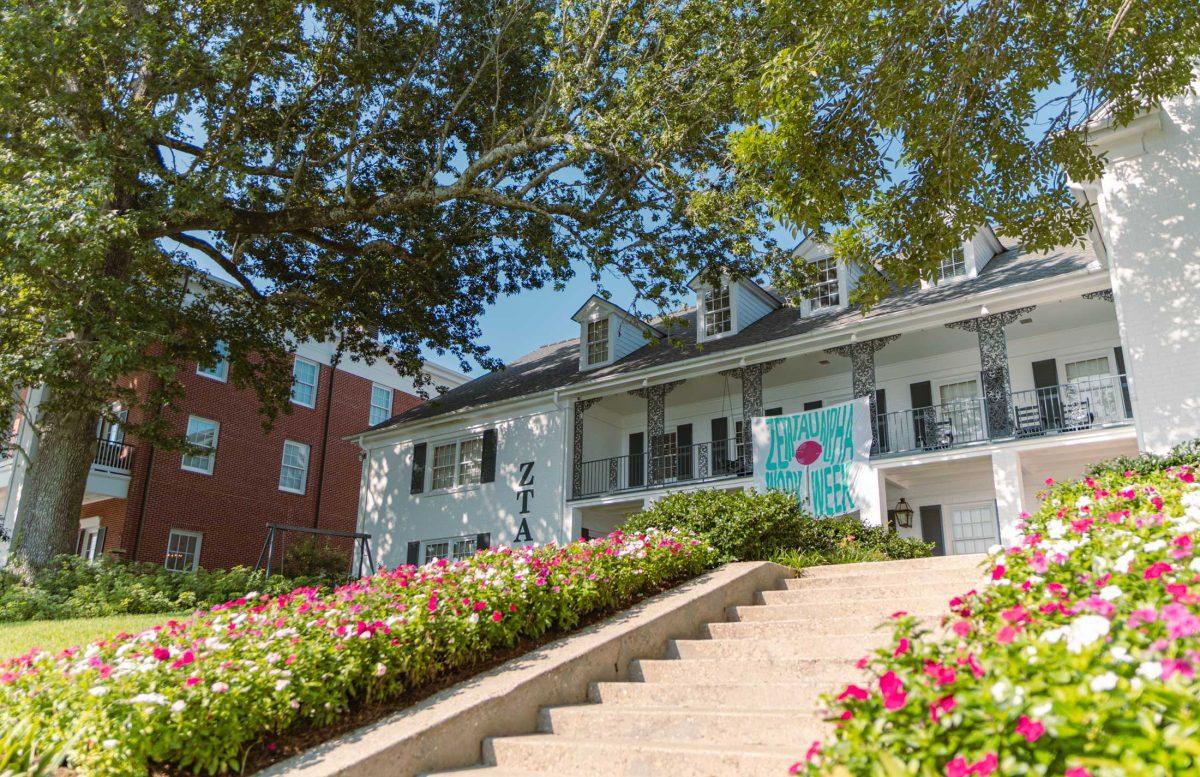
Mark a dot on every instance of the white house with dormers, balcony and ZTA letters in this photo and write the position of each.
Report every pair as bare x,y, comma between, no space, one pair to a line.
1013,368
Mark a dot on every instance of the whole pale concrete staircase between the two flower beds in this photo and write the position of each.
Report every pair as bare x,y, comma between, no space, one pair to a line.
743,701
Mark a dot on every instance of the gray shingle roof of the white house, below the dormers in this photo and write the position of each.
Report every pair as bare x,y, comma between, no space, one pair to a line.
557,365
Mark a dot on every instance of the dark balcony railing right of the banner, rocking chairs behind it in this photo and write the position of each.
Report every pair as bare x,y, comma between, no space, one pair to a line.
1078,406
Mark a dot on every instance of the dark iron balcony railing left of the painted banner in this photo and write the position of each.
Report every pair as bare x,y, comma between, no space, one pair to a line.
664,466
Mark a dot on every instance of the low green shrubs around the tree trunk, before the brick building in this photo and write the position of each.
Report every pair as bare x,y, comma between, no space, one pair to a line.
74,588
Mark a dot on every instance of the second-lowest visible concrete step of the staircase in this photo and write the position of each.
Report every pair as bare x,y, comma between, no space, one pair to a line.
727,727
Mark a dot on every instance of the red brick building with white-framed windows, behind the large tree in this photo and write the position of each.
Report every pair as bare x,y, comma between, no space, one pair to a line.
149,504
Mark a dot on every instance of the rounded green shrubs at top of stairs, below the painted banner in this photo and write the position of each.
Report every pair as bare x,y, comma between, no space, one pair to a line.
753,527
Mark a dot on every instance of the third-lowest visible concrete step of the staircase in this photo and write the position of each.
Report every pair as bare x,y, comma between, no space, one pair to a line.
795,697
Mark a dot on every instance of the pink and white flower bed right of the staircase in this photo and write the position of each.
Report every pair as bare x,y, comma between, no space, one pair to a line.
1078,659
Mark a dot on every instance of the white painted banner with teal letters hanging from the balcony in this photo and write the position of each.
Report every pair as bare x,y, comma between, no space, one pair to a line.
821,456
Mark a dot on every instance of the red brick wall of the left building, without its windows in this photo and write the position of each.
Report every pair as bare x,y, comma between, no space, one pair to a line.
233,505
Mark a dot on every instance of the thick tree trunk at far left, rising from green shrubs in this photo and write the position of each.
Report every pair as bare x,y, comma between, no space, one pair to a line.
49,523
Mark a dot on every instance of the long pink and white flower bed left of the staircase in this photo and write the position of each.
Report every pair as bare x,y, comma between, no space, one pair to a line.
197,694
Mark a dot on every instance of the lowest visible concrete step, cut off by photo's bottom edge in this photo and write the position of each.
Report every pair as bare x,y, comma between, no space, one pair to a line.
590,756
